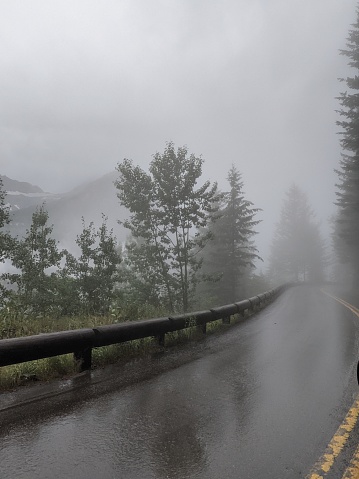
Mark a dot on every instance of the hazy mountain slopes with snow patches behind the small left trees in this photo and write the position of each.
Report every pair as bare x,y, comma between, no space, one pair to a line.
89,201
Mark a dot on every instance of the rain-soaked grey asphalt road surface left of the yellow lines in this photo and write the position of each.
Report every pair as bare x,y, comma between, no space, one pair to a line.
261,401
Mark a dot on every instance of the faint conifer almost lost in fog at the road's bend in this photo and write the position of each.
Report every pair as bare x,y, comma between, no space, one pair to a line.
297,250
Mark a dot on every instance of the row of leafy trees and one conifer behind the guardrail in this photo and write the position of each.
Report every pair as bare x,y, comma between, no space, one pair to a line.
188,240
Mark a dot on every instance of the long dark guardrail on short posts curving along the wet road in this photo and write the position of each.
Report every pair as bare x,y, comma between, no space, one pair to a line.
80,342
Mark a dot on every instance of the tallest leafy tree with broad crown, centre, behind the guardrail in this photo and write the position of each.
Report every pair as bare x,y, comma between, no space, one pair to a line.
167,211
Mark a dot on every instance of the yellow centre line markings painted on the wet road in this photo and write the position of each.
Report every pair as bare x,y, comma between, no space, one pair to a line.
336,445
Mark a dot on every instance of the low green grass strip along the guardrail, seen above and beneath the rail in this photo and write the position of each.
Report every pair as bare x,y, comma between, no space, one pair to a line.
12,325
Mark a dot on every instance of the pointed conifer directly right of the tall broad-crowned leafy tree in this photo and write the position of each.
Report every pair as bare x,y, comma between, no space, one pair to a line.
231,253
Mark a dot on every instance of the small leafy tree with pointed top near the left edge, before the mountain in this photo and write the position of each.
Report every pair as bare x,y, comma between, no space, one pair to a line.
37,258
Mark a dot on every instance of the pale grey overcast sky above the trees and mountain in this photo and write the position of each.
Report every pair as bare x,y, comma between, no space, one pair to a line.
86,83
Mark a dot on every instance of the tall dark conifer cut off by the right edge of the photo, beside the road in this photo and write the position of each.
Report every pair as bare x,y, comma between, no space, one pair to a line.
347,225
